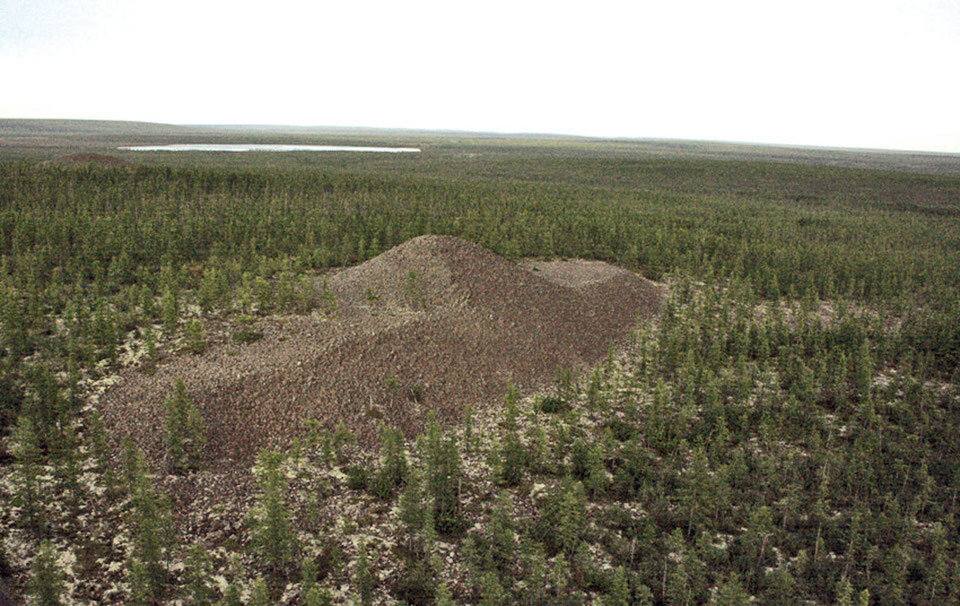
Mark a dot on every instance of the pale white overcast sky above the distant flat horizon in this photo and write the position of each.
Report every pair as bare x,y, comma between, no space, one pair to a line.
847,73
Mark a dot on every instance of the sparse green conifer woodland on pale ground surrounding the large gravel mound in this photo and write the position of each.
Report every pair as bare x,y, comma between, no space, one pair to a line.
786,431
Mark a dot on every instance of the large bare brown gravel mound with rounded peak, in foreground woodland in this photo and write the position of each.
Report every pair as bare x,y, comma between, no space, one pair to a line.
432,324
